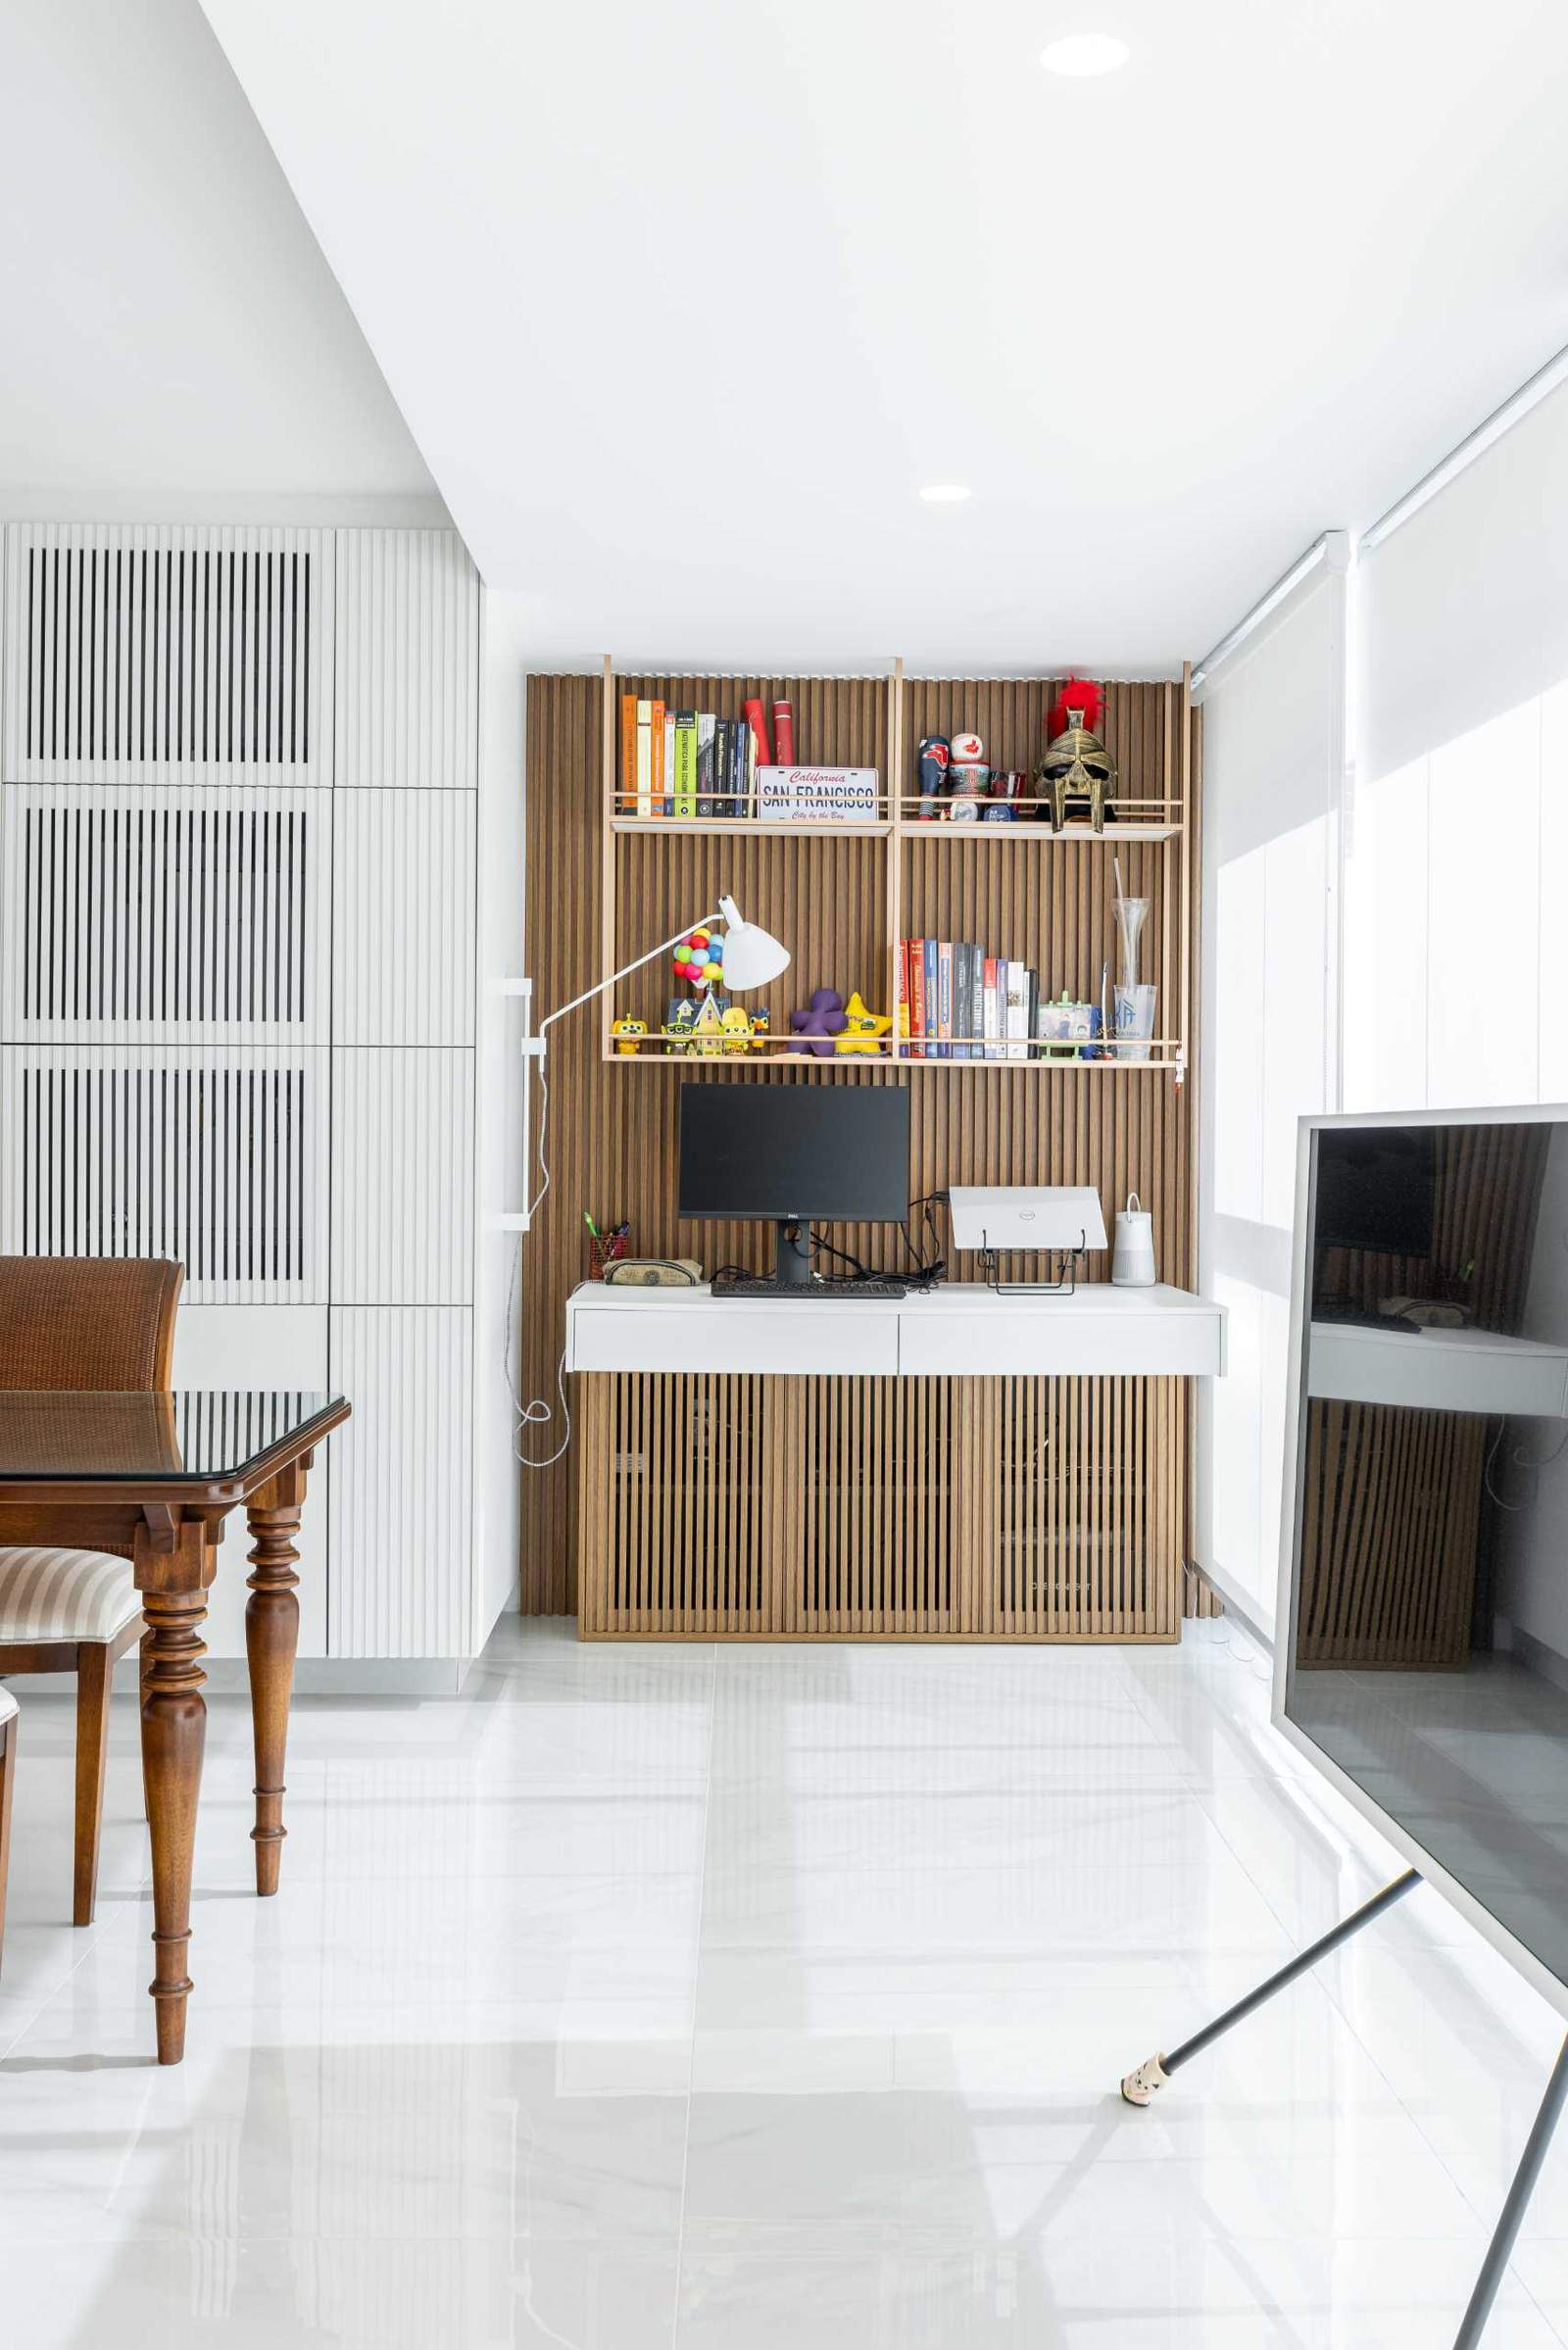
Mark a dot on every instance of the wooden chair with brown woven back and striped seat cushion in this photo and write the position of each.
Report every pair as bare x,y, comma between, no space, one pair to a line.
67,1592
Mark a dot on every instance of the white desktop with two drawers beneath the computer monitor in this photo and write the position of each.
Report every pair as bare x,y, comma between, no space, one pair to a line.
960,1329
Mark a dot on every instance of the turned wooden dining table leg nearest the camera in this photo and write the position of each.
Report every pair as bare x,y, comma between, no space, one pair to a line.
173,1573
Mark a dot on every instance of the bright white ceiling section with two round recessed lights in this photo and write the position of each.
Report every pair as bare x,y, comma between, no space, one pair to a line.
685,302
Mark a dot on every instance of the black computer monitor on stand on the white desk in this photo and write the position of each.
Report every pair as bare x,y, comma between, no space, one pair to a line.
796,1155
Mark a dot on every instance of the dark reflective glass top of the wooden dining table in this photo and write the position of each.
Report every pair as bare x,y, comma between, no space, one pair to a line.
201,1435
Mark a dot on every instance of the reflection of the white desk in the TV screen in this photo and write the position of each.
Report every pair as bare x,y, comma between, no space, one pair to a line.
1438,1371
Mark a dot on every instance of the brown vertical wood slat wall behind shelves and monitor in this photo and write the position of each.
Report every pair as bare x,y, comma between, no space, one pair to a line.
838,906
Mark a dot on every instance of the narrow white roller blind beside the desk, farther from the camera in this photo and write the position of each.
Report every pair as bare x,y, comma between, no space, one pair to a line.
1273,765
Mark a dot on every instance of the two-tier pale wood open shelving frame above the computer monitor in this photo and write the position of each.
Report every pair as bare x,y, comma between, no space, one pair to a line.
845,894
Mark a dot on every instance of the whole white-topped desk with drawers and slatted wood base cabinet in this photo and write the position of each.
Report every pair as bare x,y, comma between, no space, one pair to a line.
843,1472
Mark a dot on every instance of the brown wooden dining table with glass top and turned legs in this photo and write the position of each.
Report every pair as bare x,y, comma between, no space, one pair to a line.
154,1479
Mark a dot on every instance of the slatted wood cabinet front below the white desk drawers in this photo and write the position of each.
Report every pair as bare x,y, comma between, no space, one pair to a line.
810,1508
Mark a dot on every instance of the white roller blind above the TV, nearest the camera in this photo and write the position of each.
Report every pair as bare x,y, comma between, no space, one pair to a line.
1456,847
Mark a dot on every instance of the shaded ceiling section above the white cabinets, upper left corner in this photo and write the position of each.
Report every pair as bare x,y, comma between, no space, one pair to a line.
170,335
